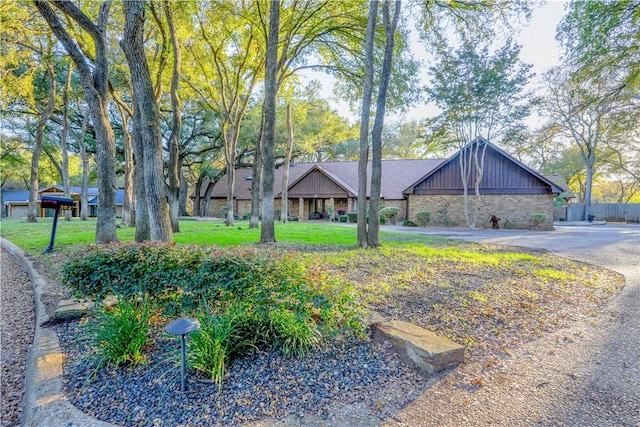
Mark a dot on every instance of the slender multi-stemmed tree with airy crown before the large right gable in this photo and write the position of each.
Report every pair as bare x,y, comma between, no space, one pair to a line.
481,96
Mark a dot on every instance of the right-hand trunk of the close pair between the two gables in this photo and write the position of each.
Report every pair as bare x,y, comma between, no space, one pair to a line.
390,25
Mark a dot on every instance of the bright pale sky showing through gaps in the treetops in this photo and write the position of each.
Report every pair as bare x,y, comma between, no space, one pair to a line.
539,48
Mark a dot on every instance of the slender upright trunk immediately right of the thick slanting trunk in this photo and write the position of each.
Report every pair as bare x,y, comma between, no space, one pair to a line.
174,138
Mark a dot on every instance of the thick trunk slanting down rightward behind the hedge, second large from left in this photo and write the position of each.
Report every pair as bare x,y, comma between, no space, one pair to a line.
146,113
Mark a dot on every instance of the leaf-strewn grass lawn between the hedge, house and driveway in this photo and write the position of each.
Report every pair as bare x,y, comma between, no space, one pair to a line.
489,298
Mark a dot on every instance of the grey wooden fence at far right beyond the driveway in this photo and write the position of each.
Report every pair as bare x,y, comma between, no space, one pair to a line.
611,212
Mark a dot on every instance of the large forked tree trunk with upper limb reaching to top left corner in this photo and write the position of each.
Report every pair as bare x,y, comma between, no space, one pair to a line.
93,70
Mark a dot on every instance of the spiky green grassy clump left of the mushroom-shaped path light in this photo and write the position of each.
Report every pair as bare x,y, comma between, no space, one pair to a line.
121,334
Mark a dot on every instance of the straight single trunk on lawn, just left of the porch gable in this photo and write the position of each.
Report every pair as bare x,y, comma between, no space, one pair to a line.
267,231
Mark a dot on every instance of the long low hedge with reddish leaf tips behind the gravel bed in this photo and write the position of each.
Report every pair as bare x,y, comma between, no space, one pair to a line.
180,278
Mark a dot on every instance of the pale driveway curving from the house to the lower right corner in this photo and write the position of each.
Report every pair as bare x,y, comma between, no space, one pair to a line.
590,378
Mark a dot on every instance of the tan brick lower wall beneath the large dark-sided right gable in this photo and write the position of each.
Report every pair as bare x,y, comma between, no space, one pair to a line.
512,207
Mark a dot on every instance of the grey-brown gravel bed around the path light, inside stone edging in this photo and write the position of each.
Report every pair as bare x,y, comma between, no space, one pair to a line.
265,386
